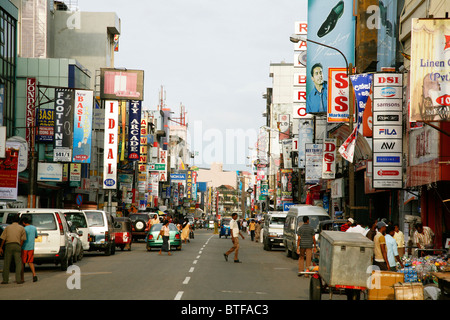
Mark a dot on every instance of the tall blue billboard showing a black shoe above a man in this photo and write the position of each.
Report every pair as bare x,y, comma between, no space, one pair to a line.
331,24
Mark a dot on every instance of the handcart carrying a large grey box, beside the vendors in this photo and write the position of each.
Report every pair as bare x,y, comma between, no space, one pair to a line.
344,262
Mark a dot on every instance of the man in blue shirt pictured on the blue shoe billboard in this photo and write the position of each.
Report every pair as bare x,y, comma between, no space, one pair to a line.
316,101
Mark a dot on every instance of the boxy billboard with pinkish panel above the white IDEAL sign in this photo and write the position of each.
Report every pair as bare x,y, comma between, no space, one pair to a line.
118,84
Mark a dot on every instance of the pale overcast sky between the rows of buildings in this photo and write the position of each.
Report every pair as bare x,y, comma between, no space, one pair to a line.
211,56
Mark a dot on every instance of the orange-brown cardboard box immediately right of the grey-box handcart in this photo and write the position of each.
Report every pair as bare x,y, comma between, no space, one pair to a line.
381,284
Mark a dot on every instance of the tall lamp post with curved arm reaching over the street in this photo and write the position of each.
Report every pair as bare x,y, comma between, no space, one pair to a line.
351,177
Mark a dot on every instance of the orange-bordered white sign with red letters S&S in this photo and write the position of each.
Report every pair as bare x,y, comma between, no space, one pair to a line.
338,97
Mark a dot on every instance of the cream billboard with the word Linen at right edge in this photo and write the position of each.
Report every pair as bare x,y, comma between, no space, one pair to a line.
430,53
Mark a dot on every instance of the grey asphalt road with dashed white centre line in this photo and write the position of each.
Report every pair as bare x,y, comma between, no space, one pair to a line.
196,272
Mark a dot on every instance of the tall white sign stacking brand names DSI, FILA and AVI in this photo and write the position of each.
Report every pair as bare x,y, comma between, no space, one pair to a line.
387,131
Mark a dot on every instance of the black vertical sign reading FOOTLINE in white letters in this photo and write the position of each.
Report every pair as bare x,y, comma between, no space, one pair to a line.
64,114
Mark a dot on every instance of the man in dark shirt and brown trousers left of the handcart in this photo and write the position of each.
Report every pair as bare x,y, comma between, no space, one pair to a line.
305,244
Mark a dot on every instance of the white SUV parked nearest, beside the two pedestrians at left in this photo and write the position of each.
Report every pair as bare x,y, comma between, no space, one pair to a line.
54,244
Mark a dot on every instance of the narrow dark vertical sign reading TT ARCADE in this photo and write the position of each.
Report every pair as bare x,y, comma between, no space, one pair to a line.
134,130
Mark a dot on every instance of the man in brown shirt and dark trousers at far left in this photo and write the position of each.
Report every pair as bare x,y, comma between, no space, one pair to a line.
12,240
